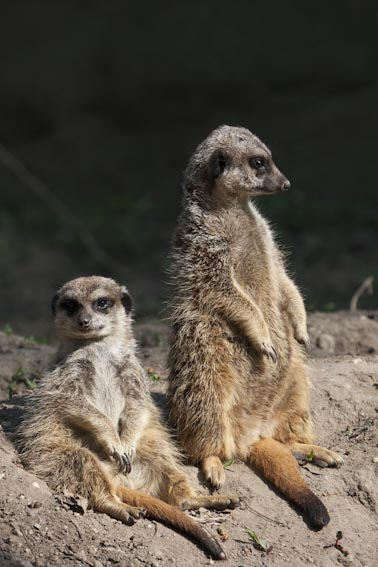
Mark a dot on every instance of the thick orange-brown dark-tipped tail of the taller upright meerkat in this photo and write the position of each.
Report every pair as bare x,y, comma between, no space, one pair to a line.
276,463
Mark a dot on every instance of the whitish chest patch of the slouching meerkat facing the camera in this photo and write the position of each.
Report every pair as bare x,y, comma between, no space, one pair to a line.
107,395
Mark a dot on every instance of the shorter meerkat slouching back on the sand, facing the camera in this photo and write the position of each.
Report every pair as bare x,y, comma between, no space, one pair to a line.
91,426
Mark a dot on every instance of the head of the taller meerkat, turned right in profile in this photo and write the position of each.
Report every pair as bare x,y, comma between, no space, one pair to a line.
232,164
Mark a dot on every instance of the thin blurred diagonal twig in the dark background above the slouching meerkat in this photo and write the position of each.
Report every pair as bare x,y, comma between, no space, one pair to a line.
65,215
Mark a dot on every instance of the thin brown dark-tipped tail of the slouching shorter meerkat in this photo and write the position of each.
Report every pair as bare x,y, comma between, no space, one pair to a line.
163,512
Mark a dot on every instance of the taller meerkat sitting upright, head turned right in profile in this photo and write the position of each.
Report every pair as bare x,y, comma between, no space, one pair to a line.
238,384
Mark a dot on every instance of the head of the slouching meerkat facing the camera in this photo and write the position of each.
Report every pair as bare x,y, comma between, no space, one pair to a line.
91,308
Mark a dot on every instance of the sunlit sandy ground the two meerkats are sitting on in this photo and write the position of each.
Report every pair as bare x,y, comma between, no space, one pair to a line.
41,529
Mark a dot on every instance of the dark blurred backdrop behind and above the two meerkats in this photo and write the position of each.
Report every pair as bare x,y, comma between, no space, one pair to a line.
104,101
